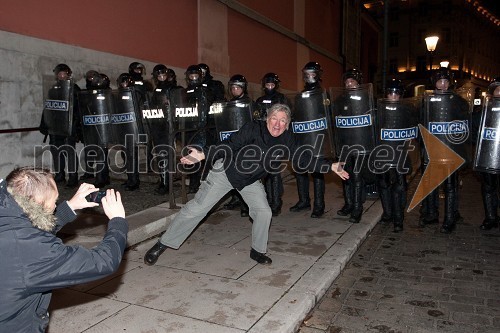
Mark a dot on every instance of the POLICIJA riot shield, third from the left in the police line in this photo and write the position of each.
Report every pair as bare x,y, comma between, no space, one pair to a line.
126,117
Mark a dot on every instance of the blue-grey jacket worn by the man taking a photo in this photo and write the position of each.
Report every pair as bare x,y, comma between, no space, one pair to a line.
33,262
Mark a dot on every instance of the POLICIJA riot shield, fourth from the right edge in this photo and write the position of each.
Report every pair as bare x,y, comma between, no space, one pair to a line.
353,113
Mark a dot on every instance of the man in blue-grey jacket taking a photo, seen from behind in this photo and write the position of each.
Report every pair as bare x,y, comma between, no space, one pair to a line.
34,261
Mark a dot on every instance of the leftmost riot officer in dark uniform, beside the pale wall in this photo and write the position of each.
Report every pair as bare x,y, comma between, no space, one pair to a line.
63,147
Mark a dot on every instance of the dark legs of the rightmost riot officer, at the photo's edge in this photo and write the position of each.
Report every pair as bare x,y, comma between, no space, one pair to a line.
489,192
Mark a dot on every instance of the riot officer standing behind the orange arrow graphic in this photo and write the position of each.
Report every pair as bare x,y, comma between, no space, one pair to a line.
449,108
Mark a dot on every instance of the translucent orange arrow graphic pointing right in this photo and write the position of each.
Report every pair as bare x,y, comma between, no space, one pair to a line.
443,161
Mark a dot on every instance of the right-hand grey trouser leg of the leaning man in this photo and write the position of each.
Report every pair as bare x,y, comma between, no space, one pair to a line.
261,214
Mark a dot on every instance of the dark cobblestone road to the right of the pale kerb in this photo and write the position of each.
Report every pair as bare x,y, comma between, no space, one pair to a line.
419,280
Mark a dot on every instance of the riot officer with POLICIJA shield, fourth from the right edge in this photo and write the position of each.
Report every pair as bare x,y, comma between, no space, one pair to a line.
354,106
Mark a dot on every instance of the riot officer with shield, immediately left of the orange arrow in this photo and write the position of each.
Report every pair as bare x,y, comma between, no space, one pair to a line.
395,119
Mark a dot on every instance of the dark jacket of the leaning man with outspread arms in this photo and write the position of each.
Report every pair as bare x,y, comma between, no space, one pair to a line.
252,152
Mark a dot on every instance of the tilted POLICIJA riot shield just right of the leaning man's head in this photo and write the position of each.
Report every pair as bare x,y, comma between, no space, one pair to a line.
311,121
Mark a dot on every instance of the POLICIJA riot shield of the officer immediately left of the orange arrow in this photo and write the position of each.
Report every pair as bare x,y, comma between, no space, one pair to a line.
396,125
